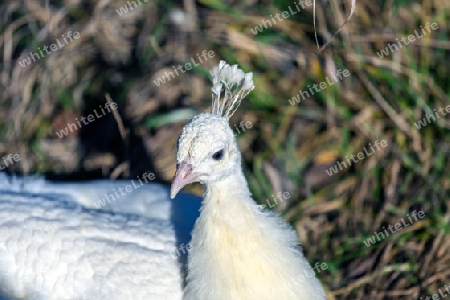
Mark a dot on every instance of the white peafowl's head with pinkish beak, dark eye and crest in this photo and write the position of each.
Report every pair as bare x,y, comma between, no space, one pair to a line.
207,149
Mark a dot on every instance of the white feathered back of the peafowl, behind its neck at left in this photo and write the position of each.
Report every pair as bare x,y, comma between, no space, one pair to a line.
55,243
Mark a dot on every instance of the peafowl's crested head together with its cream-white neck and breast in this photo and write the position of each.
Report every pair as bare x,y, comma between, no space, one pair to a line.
239,250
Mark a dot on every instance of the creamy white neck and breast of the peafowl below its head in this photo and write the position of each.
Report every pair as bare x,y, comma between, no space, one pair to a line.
241,252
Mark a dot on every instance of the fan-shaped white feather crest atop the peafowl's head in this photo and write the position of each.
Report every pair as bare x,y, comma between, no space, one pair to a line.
234,83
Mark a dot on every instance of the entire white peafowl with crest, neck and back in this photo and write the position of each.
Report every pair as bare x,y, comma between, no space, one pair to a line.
56,243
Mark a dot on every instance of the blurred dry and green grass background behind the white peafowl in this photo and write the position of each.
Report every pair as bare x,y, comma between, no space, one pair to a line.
288,147
